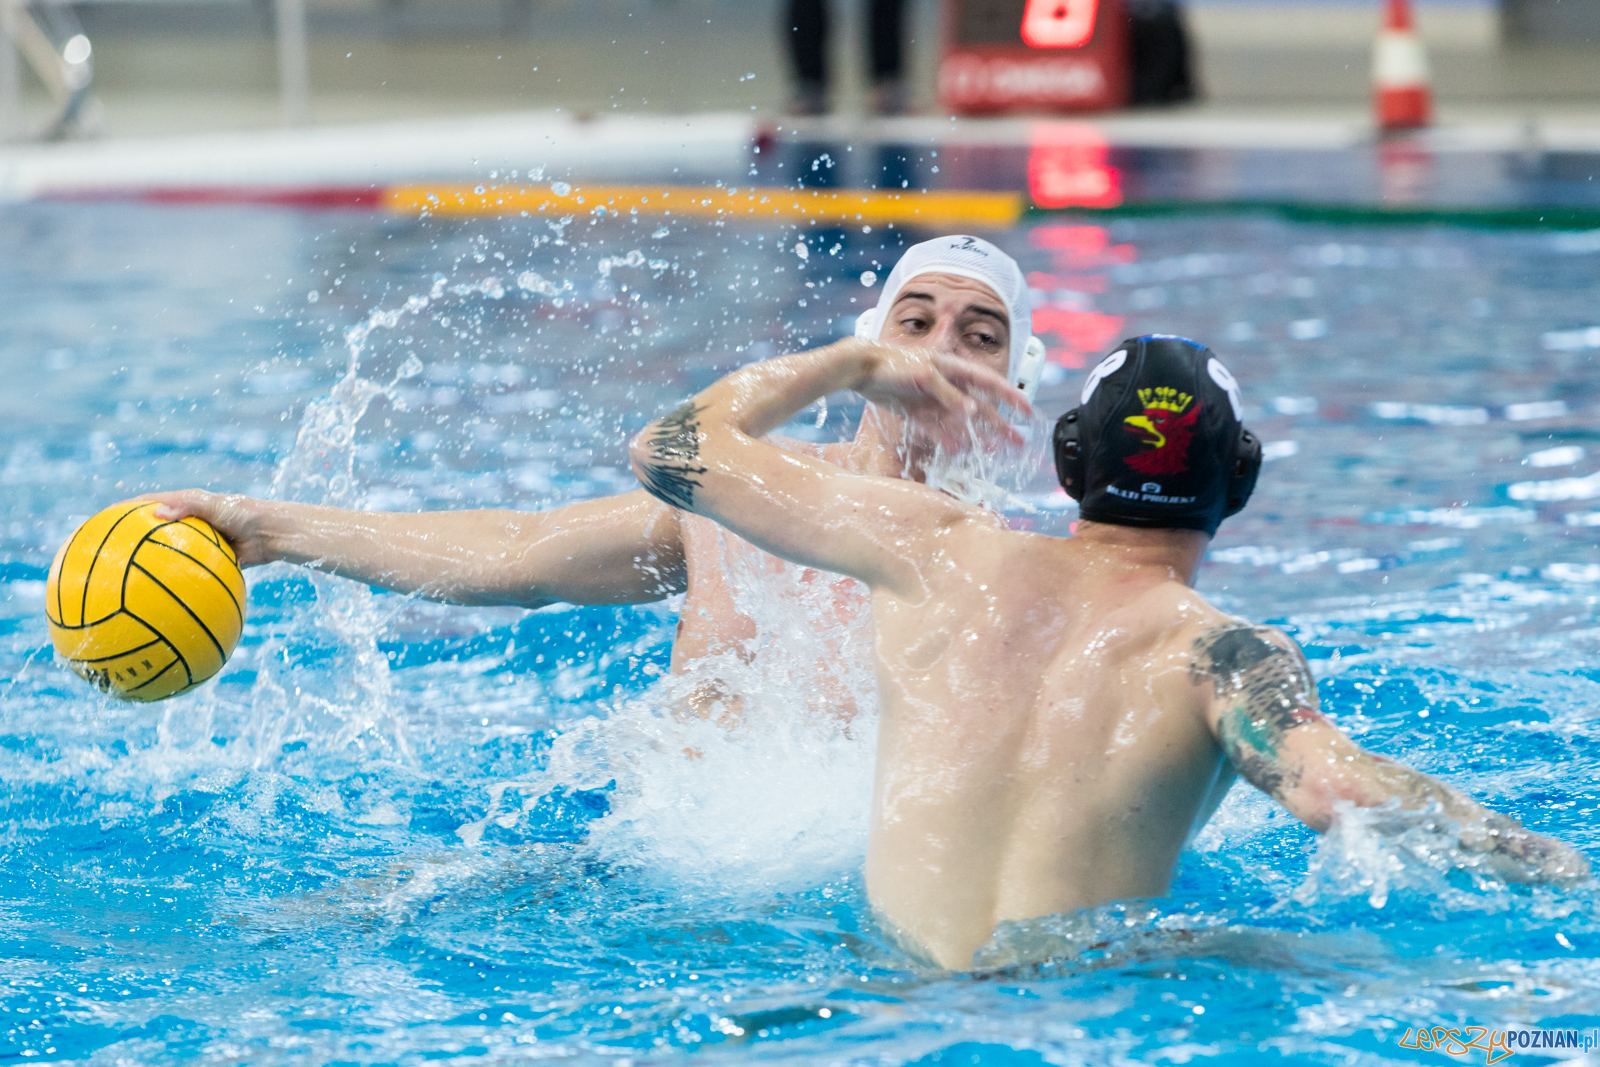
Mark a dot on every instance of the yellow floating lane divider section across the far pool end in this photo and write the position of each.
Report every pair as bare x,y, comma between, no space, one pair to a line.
825,206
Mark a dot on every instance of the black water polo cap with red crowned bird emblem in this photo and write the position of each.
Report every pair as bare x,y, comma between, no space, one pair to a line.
1158,439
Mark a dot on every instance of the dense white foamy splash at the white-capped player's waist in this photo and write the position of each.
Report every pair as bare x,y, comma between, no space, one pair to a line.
777,802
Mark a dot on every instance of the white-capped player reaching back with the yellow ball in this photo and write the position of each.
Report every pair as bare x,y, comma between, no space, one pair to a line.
634,548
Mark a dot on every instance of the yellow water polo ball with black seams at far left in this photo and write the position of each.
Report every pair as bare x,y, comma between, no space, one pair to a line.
142,607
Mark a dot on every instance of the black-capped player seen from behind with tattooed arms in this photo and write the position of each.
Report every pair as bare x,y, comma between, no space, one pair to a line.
1058,716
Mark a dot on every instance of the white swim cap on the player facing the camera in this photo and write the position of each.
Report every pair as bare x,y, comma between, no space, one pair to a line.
978,260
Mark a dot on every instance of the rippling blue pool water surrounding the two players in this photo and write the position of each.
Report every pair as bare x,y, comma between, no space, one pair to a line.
396,833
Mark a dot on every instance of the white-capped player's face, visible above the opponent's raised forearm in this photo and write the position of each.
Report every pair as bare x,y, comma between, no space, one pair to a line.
953,316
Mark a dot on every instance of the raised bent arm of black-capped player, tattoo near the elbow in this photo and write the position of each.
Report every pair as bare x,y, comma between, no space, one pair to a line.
708,457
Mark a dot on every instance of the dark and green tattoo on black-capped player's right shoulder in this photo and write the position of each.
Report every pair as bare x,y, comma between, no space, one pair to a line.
1270,692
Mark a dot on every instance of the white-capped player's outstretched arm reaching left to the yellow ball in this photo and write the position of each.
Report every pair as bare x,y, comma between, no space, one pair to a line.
618,549
